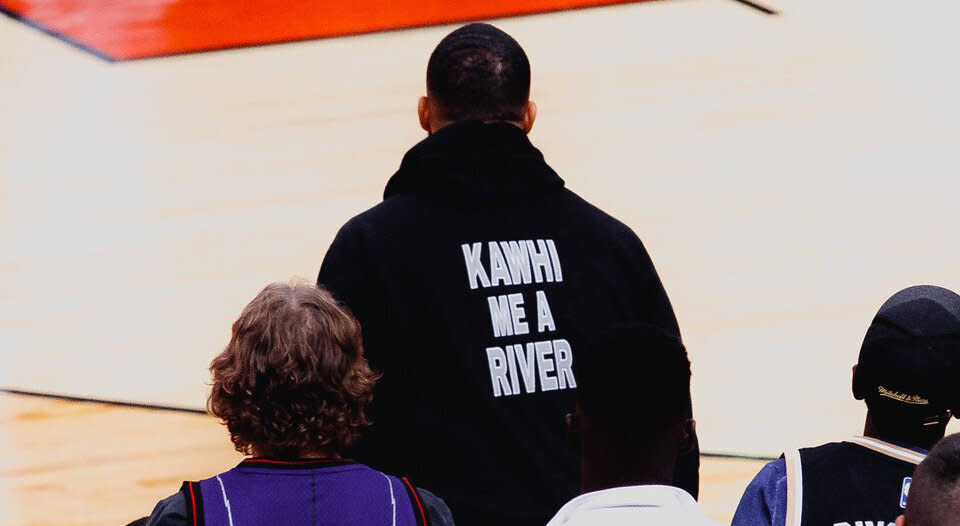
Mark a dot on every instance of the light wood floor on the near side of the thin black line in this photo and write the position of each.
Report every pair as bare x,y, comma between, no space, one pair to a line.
88,464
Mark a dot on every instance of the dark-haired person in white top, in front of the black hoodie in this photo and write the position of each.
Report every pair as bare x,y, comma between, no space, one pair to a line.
631,423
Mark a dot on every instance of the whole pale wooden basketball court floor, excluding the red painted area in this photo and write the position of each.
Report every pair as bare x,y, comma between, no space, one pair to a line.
787,174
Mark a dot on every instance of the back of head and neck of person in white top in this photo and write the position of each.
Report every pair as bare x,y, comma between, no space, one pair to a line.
633,398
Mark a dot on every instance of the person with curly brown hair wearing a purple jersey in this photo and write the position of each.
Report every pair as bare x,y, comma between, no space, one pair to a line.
292,386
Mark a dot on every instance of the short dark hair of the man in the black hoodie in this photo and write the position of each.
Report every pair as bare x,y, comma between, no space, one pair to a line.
478,72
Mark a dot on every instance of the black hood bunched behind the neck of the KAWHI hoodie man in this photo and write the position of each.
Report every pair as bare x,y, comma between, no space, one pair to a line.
477,162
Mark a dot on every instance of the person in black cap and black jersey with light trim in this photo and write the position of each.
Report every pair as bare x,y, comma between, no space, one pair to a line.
907,374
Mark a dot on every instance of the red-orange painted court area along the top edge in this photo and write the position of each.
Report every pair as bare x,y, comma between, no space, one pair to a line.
131,29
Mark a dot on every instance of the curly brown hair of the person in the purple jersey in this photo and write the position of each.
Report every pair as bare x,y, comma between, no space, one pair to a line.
293,379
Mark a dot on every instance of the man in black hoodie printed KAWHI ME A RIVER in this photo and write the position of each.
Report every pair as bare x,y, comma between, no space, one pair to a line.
473,280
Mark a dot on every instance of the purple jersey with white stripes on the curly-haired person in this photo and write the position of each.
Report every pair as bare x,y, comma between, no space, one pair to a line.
303,493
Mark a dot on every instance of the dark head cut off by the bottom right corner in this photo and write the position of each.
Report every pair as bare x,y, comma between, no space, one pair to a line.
935,490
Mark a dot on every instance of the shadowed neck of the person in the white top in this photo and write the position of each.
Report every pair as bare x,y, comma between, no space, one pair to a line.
629,454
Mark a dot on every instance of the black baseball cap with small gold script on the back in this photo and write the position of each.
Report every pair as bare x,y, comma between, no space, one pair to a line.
909,365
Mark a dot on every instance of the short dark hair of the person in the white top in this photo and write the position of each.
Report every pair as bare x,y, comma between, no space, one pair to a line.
632,373
